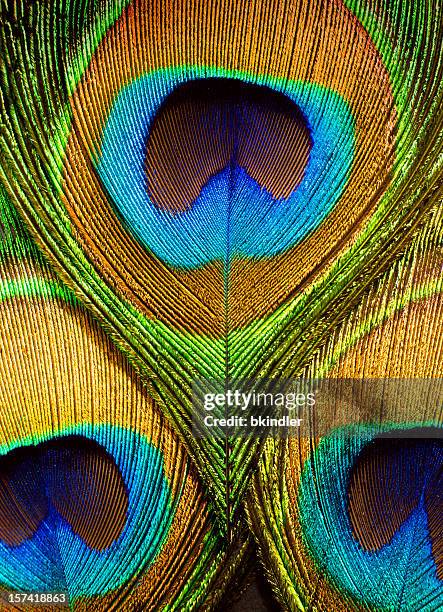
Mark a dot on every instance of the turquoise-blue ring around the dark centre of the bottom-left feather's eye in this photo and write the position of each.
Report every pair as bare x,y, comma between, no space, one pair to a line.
56,559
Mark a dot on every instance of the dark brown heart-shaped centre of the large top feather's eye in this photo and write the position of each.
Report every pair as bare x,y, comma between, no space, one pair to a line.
208,125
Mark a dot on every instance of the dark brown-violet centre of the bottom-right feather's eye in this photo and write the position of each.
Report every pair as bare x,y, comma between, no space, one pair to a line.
389,479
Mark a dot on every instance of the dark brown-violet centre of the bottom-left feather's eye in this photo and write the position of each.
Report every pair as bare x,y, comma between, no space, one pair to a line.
75,475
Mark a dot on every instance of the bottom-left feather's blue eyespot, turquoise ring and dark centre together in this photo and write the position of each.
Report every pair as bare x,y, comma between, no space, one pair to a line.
82,503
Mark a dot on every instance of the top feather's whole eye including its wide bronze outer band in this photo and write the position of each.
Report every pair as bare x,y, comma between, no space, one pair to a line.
225,166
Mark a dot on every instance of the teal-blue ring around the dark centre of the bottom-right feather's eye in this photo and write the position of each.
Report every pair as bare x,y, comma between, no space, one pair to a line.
370,577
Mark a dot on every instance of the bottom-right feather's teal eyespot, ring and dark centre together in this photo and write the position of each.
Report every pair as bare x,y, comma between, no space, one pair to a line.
383,498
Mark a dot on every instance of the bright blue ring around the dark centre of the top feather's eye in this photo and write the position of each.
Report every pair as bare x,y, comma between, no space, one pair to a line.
222,224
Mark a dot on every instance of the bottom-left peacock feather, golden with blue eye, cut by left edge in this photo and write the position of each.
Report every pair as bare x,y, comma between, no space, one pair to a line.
95,487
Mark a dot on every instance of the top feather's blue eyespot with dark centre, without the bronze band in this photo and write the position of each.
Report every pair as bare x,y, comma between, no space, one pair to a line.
222,139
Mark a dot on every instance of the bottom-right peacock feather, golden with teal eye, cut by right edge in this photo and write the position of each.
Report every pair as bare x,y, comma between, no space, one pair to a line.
352,519
